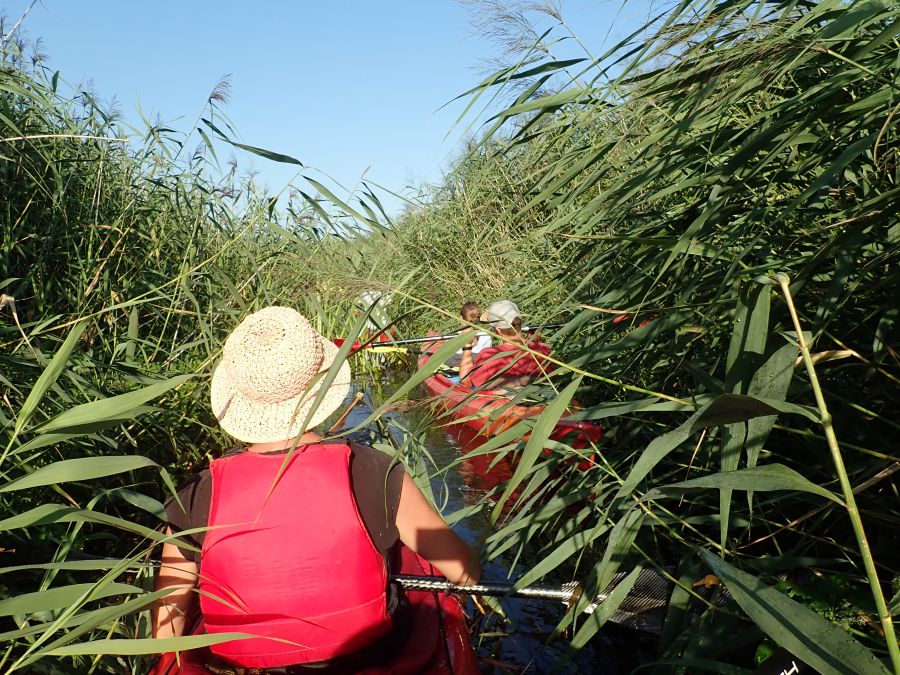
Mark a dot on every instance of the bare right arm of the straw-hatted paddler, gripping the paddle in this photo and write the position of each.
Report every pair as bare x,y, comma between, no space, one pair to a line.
424,531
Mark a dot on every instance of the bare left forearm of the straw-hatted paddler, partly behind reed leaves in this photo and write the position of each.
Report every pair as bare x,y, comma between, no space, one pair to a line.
170,612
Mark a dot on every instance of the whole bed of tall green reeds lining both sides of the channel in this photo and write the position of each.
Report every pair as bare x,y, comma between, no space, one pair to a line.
712,208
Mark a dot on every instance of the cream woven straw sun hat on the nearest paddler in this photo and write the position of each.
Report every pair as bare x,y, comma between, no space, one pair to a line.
269,377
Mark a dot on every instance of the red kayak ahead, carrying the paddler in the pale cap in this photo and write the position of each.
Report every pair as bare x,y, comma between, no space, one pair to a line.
489,411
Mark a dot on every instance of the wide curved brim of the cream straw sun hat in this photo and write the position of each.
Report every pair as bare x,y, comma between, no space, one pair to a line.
257,422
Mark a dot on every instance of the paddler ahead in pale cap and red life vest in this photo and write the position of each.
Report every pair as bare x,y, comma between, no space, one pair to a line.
508,365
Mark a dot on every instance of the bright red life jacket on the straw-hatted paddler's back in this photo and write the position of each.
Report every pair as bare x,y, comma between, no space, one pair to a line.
290,560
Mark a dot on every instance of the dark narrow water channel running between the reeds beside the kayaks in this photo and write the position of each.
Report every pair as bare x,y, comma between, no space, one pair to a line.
521,643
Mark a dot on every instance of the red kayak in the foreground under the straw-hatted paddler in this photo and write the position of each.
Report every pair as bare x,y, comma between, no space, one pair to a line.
438,642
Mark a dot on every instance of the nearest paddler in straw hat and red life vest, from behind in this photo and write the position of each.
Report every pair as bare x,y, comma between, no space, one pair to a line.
300,531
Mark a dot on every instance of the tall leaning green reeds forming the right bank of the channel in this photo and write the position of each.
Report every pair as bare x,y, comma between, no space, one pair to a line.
643,199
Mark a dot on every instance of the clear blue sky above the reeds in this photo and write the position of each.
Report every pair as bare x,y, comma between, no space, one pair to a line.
351,88
